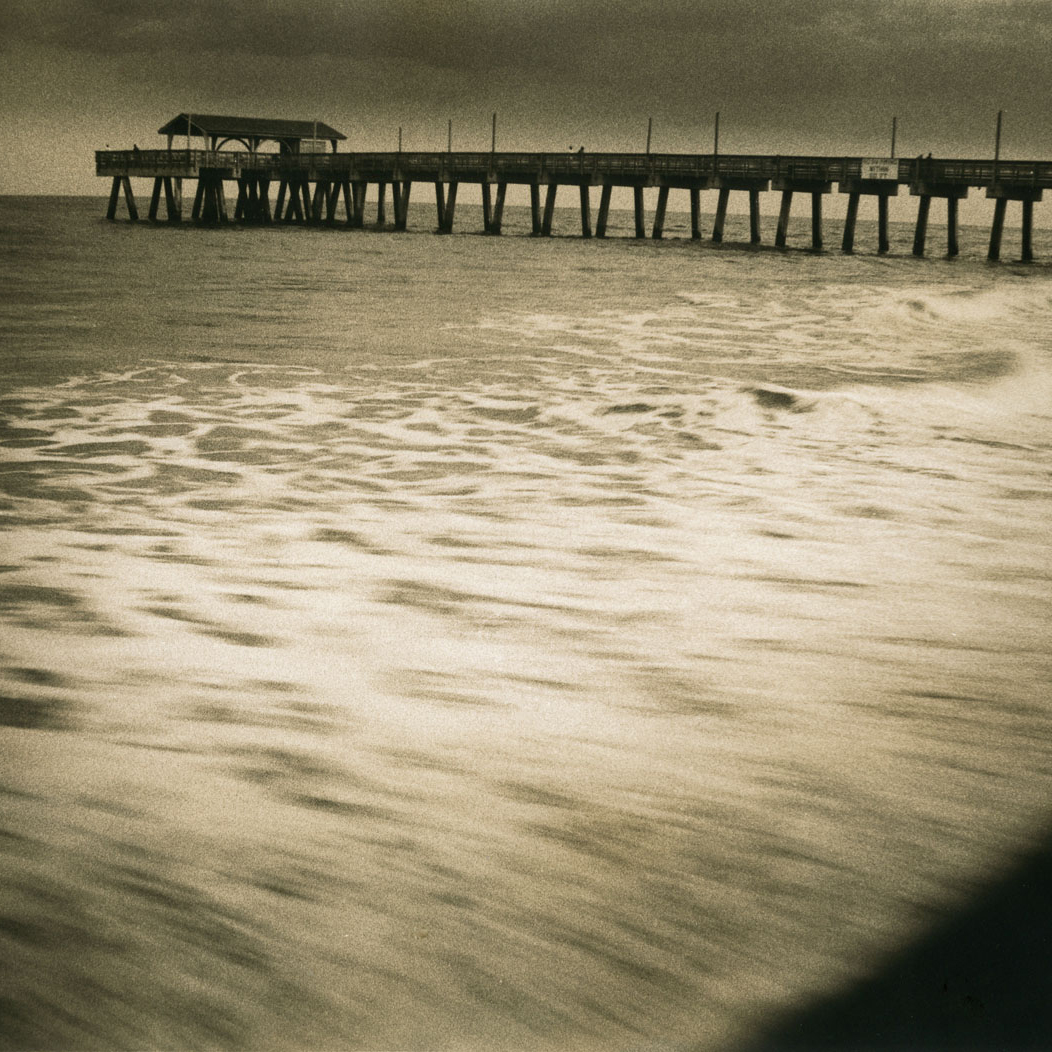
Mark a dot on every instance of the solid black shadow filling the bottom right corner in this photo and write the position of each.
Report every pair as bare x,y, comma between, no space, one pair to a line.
981,981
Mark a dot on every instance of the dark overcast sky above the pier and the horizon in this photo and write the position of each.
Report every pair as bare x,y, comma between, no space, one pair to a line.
787,76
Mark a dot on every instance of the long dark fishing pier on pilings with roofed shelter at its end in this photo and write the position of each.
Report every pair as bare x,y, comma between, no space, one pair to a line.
308,180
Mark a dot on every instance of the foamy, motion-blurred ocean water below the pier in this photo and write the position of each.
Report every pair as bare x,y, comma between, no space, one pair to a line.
462,643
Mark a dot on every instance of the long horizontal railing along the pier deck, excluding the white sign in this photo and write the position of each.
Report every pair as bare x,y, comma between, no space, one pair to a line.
590,169
